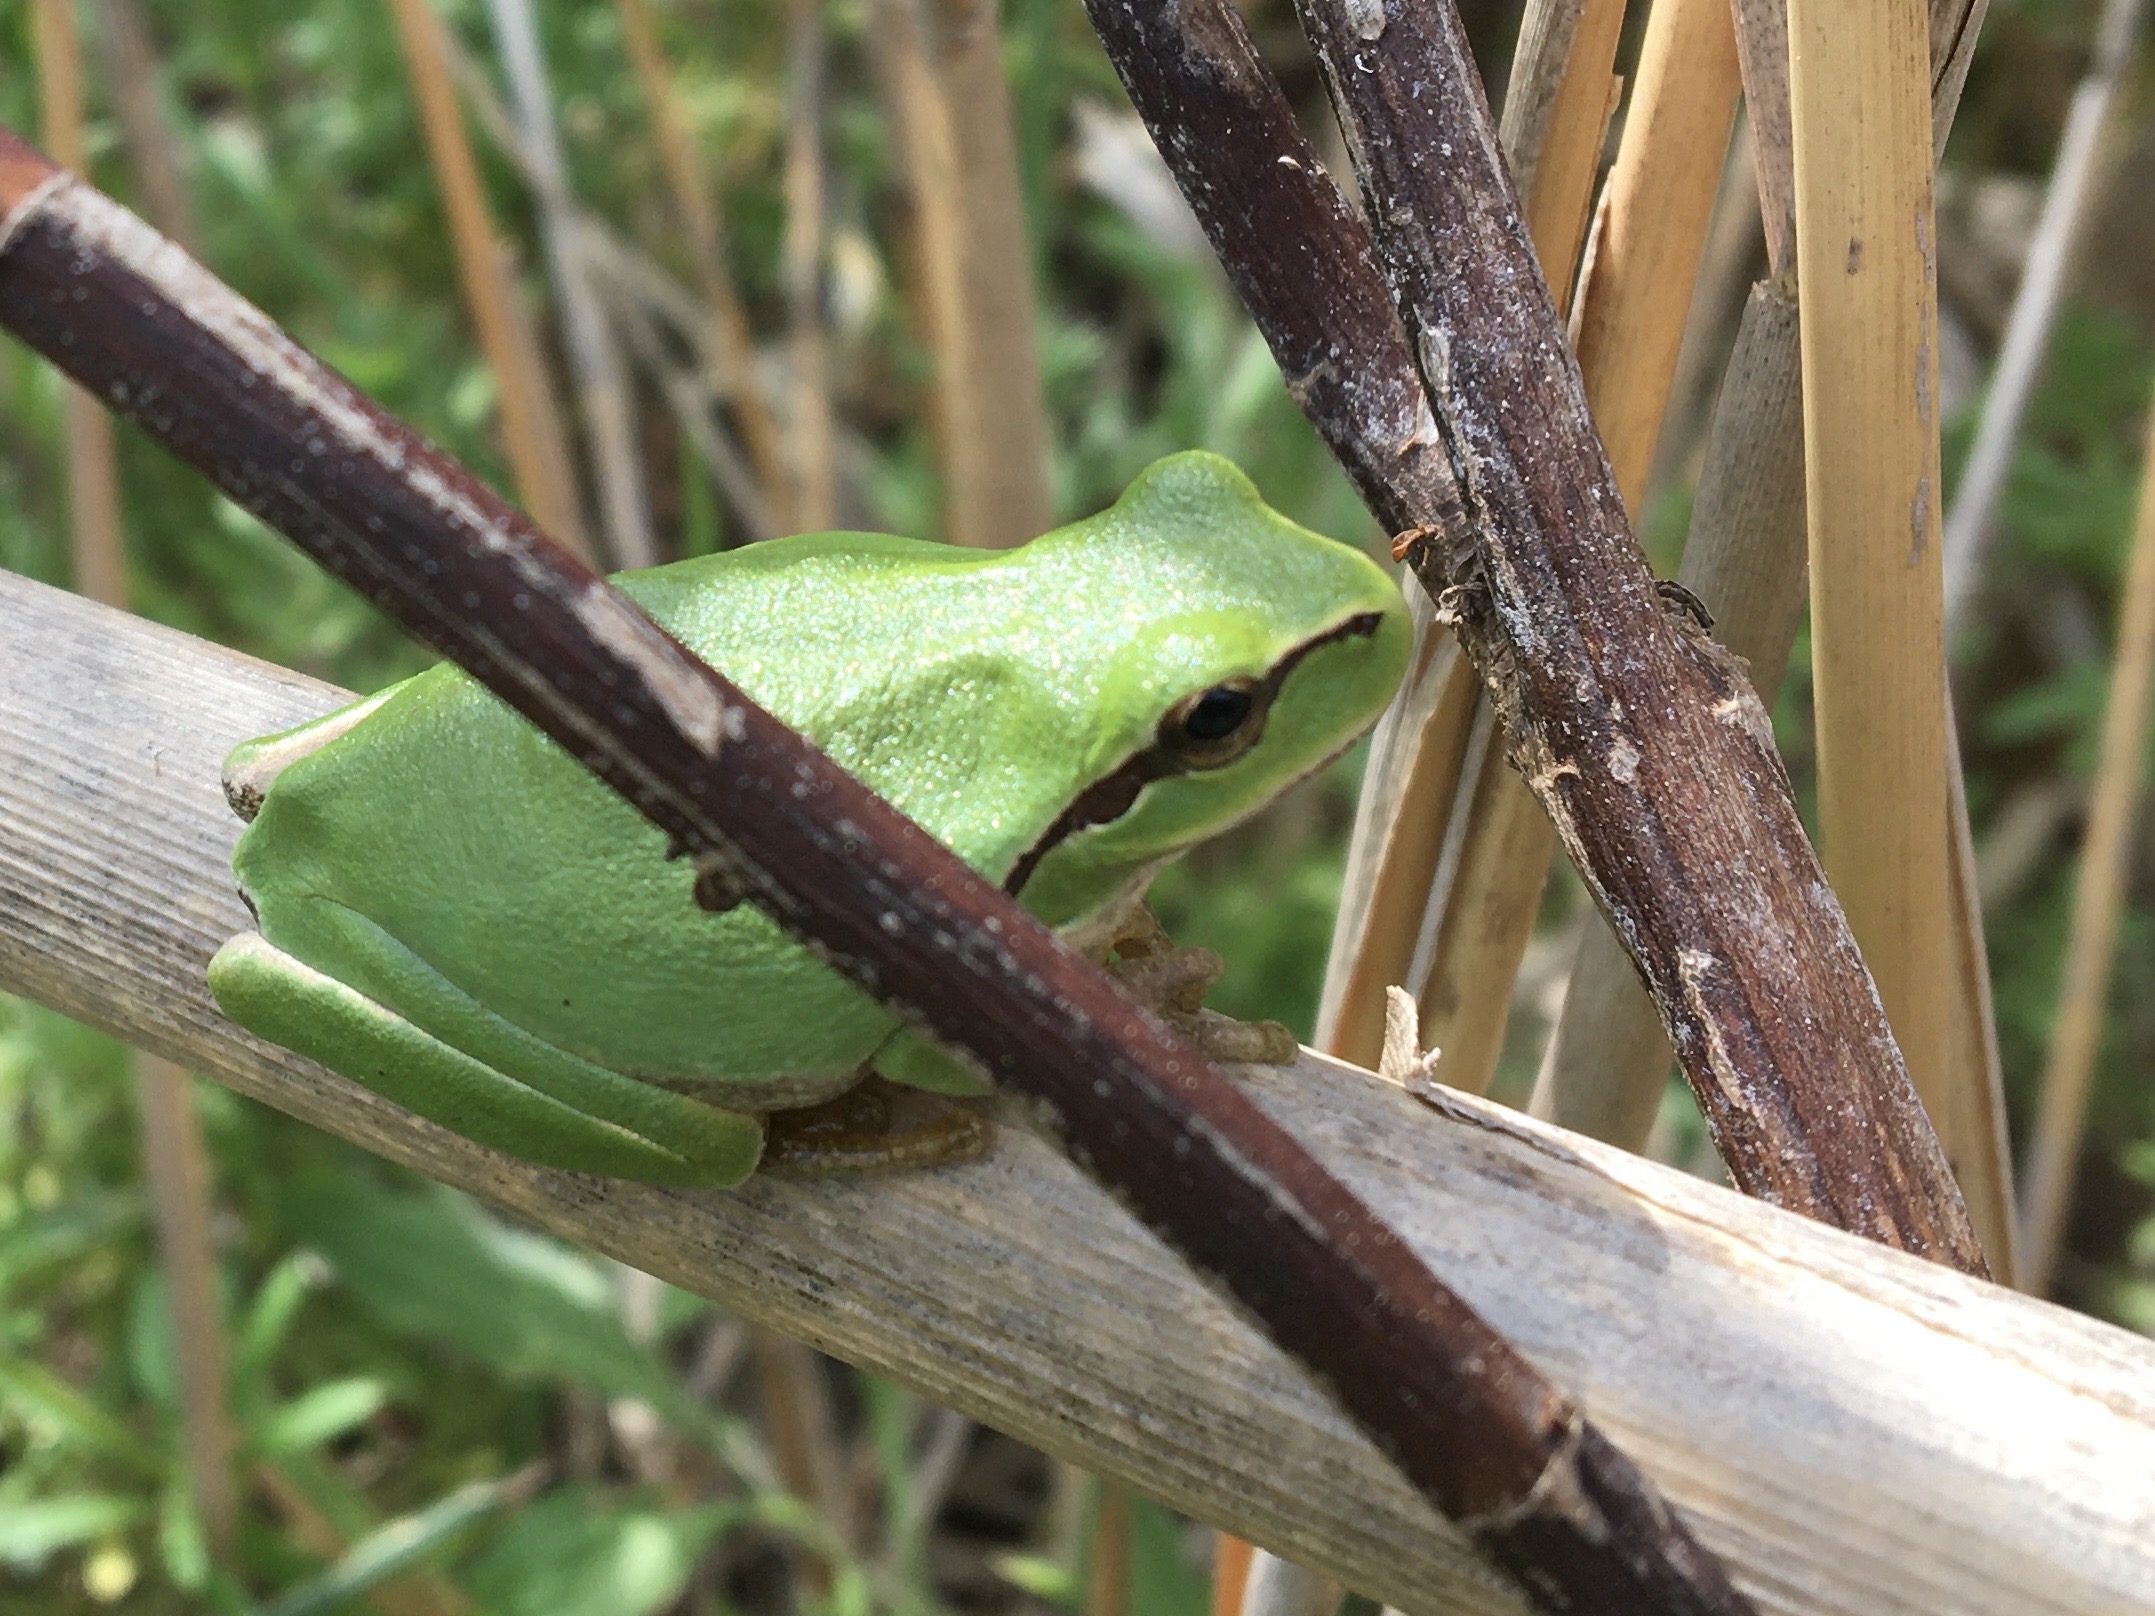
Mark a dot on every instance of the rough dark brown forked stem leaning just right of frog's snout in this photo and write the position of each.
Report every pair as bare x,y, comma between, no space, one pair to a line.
1641,736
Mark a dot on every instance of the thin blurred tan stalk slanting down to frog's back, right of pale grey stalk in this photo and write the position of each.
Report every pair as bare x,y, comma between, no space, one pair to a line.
706,238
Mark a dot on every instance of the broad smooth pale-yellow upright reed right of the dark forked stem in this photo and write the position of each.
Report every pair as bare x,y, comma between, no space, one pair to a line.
1861,113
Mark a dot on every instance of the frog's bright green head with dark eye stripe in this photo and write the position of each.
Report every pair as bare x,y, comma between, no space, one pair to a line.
1229,654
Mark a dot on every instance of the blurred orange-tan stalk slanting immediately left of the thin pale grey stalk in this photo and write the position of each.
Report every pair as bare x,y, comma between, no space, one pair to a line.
542,473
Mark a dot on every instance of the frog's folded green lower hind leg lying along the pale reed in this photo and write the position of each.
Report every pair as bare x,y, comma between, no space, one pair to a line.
671,1139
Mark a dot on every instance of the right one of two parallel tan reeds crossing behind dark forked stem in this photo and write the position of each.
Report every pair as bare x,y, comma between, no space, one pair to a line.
1628,331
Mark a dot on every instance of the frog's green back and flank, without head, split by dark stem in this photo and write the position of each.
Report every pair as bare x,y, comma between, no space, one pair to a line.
451,824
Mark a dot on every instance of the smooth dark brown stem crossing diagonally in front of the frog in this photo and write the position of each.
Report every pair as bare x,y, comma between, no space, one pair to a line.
1458,1408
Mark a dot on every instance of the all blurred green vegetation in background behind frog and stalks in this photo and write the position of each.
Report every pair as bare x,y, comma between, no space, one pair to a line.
441,1412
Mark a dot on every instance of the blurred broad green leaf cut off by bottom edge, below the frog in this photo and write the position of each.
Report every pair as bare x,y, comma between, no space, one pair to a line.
576,1555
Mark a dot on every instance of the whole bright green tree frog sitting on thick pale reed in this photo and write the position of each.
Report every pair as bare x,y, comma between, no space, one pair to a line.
462,919
